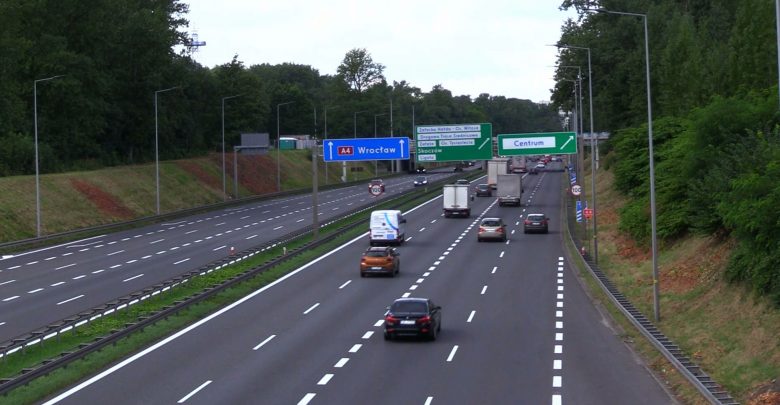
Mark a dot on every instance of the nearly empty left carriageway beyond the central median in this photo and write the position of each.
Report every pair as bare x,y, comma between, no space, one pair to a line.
43,286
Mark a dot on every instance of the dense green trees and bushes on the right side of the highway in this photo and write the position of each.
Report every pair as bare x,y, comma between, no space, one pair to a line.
715,108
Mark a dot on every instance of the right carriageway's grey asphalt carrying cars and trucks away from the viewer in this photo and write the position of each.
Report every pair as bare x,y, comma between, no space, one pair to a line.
517,328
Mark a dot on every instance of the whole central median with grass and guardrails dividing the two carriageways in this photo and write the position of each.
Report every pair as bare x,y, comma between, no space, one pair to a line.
24,367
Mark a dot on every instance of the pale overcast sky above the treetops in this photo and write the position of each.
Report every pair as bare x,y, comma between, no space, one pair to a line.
469,47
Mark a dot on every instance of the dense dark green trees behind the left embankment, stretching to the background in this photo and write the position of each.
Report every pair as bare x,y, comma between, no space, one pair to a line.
114,55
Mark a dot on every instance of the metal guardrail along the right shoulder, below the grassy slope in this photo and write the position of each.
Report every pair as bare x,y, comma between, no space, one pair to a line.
710,389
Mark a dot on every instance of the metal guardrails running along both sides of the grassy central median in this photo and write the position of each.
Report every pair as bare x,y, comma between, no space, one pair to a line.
70,323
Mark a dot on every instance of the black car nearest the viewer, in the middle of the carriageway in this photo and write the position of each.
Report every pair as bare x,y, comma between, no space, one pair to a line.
413,317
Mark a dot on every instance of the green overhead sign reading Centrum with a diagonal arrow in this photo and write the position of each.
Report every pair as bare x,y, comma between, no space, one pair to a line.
546,143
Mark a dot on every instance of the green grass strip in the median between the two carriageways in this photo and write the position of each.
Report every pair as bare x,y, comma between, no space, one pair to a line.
64,377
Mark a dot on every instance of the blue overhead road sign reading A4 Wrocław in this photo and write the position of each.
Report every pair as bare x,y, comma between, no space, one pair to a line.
361,149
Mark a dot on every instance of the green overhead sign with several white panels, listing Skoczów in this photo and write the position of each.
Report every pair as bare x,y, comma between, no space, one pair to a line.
447,143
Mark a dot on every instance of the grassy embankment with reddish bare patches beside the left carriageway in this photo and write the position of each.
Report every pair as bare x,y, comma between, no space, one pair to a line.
81,199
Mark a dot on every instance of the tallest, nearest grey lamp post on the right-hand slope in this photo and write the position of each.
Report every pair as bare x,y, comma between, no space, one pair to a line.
654,243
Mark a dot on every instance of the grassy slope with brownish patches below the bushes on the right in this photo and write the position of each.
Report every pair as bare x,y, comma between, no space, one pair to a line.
727,330
